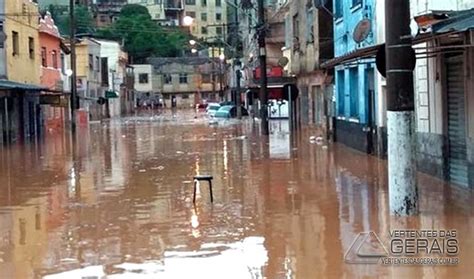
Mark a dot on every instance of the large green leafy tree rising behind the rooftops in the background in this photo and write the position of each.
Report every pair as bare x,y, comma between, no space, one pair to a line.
142,37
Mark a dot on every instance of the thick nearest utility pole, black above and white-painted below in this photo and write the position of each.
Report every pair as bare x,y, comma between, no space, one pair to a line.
403,189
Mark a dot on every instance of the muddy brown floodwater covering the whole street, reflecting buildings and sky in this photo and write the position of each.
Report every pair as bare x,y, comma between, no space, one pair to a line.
119,205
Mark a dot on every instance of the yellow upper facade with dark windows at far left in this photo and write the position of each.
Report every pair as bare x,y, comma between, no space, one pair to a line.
22,41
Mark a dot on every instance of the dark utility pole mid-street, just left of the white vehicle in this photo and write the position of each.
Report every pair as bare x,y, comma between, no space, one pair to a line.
263,68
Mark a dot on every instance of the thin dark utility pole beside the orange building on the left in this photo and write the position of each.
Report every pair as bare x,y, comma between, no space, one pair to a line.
72,37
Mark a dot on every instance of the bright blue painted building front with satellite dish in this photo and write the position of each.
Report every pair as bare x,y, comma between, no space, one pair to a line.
354,90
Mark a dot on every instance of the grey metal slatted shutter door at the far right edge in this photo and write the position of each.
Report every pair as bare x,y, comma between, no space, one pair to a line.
457,157
